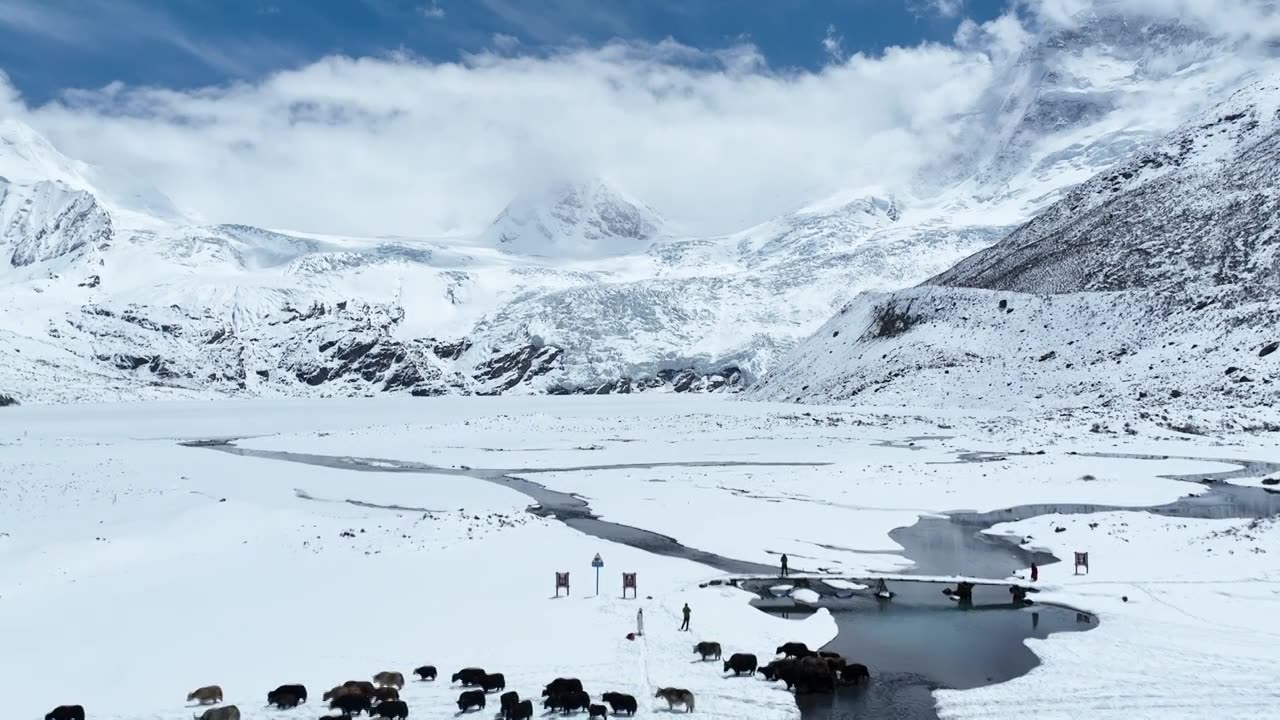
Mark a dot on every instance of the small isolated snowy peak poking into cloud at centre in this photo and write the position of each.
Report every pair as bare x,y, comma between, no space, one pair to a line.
575,220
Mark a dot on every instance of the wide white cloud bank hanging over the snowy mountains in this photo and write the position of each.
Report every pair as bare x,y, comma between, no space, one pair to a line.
400,145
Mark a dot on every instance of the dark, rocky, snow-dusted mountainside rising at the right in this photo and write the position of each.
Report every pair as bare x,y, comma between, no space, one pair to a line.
1156,284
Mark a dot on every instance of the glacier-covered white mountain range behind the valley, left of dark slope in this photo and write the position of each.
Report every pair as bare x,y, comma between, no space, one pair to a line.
111,291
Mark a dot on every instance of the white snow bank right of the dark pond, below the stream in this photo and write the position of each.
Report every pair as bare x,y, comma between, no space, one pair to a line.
1197,635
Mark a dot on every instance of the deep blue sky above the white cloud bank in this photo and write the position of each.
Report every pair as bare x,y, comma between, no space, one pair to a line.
52,45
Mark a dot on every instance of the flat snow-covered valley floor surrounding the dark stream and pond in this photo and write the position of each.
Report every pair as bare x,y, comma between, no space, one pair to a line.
136,569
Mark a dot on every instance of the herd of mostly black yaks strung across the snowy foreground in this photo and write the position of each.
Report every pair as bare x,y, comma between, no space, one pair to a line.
801,668
